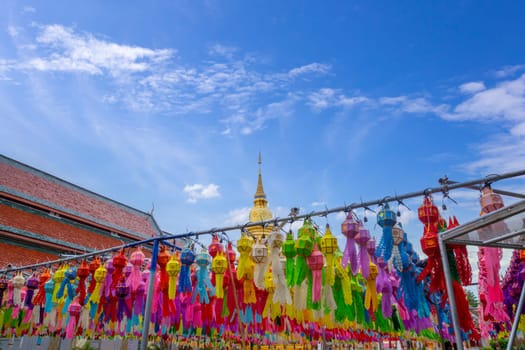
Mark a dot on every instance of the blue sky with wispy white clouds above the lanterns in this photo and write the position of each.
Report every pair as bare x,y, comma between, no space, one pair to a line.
168,103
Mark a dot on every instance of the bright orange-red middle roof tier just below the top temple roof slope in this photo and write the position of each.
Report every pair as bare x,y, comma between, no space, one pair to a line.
50,227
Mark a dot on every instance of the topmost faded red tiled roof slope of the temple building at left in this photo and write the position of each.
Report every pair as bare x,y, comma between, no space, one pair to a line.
31,184
